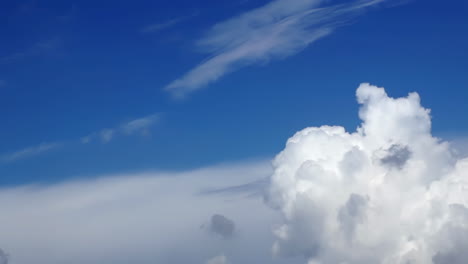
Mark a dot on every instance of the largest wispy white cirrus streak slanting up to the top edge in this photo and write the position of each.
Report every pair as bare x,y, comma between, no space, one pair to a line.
276,30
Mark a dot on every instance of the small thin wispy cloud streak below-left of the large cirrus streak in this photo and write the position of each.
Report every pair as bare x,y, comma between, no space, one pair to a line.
140,126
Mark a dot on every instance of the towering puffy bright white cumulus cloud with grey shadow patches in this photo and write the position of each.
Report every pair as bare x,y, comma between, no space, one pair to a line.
388,193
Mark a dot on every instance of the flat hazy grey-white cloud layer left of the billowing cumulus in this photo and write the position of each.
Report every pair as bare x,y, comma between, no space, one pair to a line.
145,218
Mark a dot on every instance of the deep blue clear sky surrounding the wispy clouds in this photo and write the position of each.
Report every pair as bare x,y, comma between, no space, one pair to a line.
71,69
